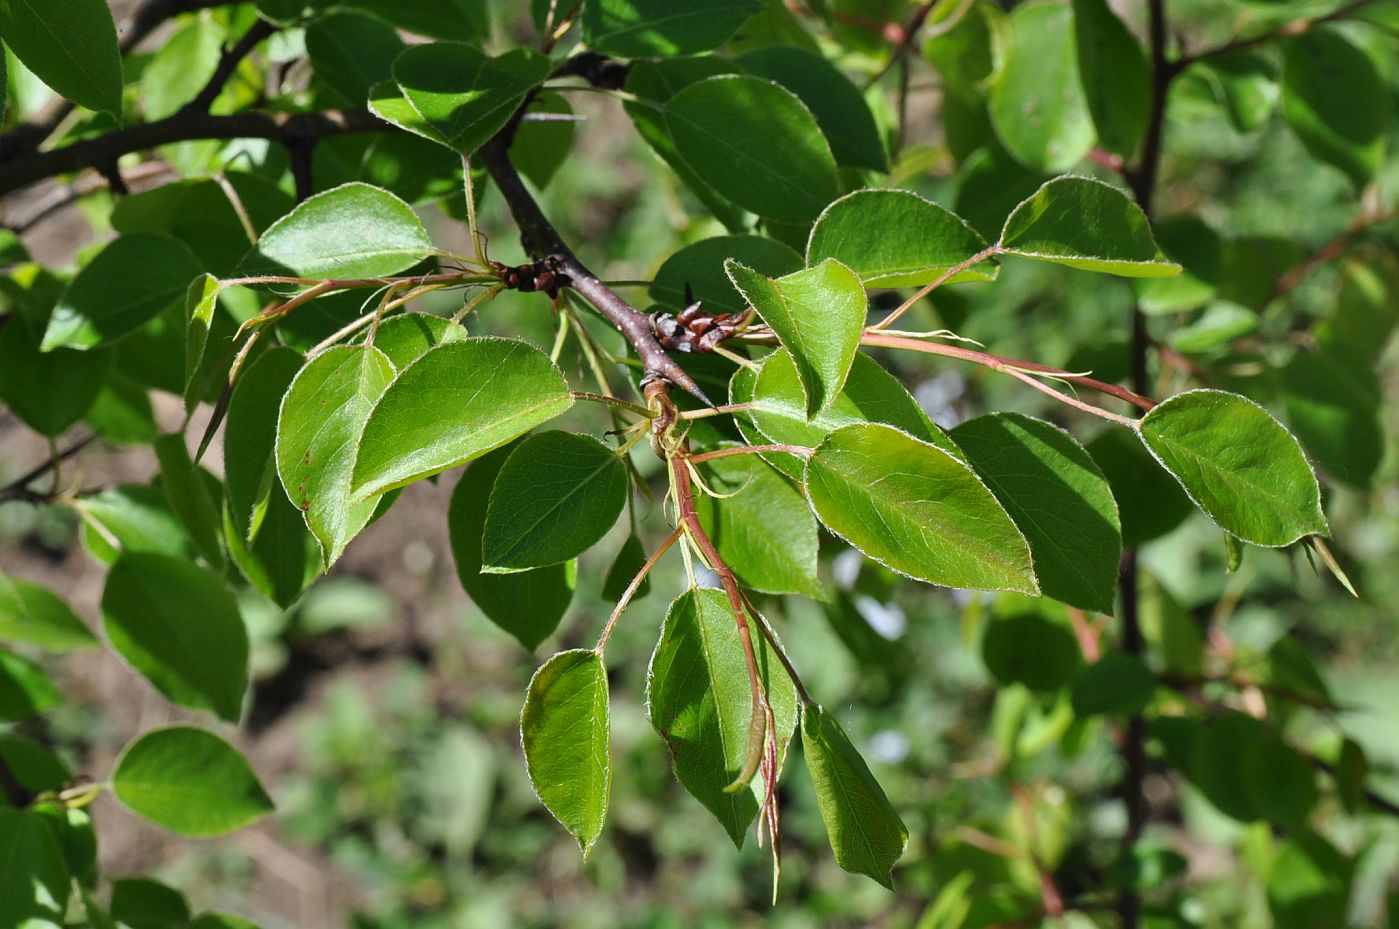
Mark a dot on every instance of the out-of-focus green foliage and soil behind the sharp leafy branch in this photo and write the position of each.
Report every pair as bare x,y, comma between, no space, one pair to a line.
385,713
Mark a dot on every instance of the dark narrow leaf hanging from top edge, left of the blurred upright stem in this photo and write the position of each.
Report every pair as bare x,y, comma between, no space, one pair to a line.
1117,79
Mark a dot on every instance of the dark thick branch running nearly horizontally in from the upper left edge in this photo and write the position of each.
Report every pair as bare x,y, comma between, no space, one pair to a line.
22,170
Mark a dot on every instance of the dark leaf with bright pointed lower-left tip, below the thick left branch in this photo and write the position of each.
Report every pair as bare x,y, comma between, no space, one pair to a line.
127,286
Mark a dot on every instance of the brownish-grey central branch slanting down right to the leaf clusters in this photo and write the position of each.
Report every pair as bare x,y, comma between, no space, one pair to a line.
542,240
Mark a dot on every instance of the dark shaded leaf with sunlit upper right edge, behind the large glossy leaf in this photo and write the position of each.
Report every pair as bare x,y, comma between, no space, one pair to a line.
1057,497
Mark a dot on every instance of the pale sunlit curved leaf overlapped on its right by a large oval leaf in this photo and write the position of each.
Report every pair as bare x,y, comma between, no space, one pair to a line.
322,418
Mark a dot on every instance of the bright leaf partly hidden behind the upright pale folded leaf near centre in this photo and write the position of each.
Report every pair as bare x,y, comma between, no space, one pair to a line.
779,408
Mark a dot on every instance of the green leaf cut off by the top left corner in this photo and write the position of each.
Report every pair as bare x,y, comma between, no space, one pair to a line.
71,47
